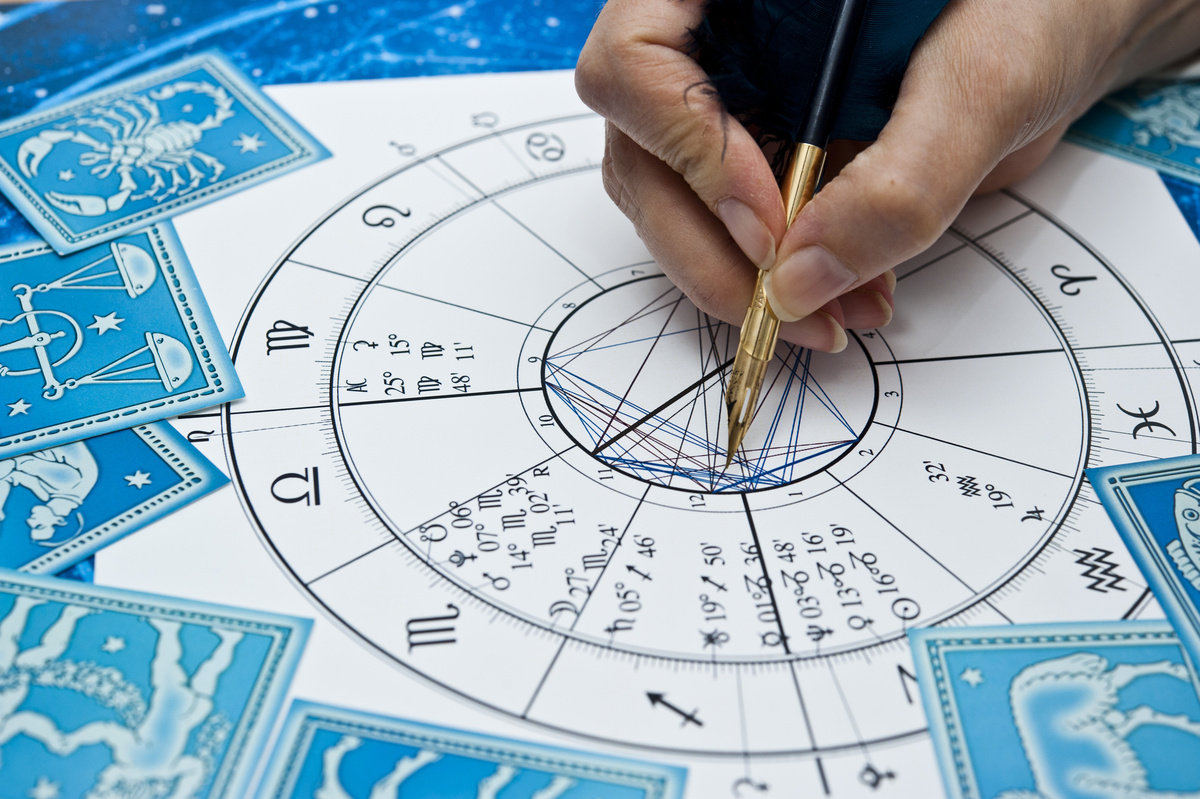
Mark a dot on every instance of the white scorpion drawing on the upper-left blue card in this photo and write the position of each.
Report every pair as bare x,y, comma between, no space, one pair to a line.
139,139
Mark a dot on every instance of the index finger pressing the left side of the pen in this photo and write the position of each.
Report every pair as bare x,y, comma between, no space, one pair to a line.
634,71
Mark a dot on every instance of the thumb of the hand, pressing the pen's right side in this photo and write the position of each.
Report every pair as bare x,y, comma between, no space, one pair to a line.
899,195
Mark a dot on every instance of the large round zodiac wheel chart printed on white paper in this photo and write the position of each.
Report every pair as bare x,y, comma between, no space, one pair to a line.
485,435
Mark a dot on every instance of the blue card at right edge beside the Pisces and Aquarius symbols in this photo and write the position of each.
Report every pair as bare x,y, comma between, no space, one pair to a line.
1156,508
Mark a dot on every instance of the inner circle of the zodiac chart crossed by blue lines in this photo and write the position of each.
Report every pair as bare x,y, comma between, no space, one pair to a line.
637,376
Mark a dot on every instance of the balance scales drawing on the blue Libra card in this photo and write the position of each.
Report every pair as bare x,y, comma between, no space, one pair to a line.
55,338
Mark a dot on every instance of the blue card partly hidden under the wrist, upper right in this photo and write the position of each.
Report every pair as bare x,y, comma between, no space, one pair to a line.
1153,123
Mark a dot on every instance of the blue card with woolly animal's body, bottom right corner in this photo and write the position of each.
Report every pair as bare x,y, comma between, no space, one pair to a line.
1082,711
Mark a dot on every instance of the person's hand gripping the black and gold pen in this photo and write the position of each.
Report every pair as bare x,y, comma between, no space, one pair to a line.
989,92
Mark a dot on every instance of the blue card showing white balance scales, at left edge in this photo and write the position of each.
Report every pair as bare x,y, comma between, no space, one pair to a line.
106,339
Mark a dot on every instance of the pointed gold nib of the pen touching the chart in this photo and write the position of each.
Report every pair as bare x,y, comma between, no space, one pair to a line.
757,347
